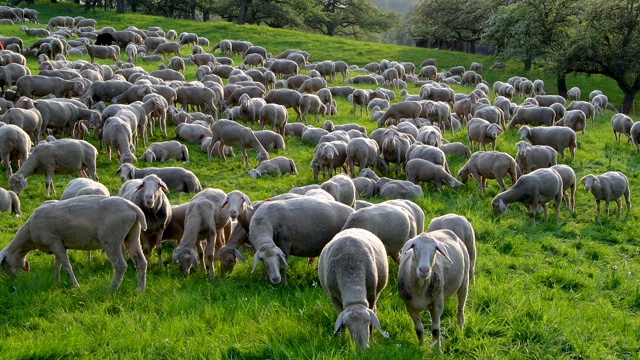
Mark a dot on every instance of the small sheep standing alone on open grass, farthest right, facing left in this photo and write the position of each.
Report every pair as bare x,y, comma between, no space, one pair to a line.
610,186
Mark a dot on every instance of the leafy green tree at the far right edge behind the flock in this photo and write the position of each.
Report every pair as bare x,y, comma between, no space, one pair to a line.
607,42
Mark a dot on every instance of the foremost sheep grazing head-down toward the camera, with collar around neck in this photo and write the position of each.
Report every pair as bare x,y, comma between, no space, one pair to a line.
354,286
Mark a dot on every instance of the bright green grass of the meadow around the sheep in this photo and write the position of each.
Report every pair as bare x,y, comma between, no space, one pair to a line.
555,291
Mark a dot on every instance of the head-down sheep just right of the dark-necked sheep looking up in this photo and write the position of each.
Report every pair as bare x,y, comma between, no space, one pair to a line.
205,218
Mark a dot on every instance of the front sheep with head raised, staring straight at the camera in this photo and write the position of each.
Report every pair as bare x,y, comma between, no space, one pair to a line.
425,280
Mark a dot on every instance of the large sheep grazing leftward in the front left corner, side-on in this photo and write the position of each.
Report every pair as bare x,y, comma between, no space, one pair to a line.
48,230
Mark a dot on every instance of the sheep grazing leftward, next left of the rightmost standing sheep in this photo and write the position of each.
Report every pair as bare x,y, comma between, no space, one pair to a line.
532,190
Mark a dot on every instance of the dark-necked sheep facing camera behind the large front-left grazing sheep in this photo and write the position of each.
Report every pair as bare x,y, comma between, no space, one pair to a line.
148,194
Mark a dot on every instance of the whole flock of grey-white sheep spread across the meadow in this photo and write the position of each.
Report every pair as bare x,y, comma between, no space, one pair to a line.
123,103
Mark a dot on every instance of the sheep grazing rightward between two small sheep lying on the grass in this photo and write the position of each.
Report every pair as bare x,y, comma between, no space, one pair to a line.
231,133
